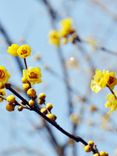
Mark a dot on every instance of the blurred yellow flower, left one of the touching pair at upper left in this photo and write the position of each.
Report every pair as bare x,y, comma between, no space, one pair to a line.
12,50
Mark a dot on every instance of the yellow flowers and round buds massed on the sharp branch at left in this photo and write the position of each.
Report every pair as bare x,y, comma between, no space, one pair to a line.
31,75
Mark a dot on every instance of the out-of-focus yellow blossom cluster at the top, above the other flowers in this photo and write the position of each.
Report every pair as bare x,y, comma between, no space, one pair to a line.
65,34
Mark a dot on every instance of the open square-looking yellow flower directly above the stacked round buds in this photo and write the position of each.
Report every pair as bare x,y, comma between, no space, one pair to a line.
33,75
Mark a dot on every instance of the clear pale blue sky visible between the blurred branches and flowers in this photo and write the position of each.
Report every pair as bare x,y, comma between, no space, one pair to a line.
29,19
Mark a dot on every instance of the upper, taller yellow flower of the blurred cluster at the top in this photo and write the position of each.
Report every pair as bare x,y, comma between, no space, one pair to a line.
66,27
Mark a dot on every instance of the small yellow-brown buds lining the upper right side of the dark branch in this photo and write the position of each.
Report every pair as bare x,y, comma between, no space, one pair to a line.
46,107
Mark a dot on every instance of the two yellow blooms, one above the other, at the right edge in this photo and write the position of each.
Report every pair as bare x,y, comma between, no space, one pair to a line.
103,79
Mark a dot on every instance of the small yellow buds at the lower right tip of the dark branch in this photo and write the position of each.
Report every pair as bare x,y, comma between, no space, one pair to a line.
91,146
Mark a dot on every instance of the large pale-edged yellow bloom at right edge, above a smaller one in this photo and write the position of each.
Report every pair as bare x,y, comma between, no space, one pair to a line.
102,79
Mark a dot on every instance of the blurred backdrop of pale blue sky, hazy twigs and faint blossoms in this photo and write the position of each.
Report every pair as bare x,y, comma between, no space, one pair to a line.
67,72
